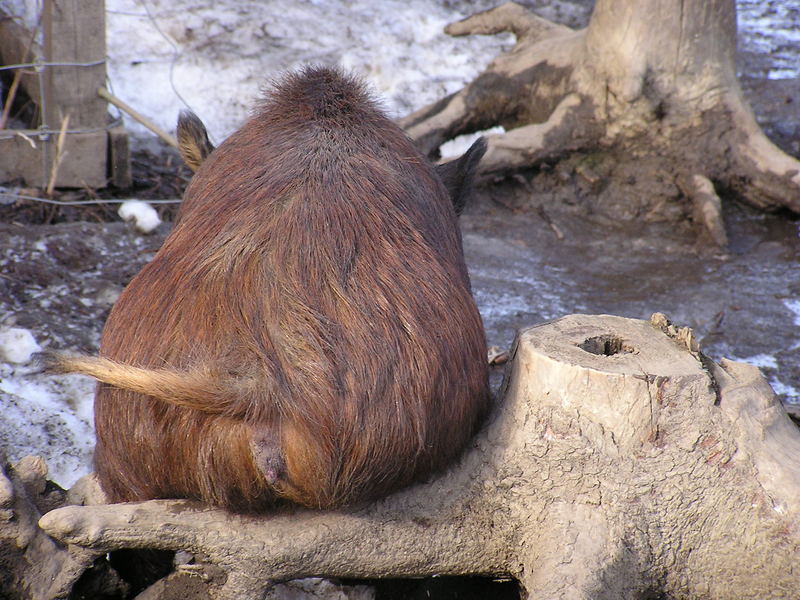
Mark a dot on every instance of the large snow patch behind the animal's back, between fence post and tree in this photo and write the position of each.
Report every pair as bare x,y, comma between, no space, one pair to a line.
214,57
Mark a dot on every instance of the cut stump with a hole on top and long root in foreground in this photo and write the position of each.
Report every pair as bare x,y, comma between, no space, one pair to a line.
621,463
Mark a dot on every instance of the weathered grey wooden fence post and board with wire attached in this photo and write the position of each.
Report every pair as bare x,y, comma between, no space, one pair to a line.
74,39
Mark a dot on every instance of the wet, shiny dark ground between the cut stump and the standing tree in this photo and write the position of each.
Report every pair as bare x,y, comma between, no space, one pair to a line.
744,305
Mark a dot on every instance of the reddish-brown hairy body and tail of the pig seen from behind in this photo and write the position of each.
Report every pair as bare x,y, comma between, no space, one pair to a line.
307,331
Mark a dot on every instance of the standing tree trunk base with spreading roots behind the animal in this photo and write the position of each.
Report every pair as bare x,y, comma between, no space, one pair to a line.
648,92
